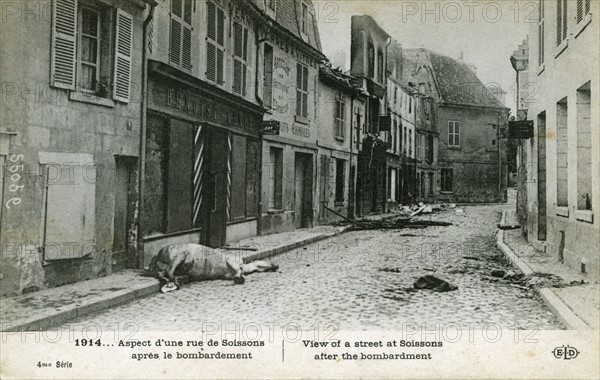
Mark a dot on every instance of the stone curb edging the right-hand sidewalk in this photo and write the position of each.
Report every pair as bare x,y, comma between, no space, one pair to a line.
552,301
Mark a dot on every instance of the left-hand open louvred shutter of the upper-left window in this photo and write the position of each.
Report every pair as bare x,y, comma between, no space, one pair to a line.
64,42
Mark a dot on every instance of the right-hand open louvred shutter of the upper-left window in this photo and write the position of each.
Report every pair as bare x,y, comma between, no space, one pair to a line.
123,45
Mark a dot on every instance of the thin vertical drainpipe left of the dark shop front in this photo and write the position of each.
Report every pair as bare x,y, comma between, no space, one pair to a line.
142,153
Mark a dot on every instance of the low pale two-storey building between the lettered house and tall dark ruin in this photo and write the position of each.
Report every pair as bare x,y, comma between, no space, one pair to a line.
341,102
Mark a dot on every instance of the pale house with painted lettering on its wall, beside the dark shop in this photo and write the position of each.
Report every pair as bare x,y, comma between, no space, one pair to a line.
289,52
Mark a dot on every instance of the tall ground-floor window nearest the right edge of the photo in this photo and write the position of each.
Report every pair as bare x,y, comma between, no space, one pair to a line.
584,148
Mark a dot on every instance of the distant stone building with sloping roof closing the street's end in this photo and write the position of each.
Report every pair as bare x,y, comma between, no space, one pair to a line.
472,158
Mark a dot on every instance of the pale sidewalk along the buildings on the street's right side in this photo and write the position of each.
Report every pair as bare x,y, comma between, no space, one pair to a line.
578,306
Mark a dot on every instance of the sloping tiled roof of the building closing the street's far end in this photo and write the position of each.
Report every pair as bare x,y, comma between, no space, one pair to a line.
457,84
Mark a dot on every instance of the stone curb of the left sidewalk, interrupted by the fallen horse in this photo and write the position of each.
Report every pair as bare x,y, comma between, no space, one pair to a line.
119,298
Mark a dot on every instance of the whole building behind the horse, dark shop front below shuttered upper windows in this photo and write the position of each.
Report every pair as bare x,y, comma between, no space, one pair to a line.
202,160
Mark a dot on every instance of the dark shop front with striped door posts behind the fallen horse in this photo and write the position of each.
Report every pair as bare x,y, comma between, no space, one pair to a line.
202,163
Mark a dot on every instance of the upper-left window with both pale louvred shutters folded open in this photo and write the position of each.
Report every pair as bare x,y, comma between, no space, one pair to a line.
82,53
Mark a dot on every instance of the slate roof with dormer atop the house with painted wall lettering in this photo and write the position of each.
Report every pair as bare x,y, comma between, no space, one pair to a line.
288,15
